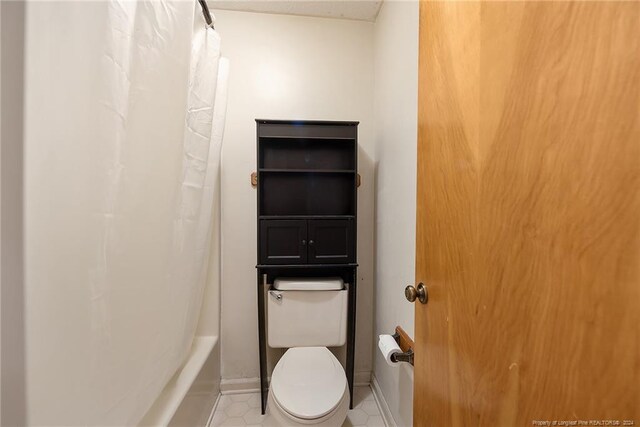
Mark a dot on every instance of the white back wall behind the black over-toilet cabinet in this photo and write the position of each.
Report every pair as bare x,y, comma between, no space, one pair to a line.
288,67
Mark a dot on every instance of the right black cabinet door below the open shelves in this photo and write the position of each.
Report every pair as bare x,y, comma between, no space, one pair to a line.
331,241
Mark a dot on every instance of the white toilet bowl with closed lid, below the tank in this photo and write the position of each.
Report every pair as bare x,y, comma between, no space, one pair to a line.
308,387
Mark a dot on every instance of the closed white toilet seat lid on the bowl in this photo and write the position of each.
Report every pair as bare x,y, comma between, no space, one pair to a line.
308,382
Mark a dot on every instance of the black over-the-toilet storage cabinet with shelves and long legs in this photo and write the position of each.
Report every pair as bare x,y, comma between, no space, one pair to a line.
307,204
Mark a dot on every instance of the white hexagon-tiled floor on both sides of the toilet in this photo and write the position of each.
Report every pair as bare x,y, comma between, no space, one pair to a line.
244,410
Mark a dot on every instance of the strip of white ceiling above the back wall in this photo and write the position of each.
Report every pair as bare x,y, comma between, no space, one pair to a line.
362,10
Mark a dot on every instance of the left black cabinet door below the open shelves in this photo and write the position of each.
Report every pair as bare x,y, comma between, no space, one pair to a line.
283,241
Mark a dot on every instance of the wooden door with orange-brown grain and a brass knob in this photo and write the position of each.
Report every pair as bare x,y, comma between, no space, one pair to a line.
528,213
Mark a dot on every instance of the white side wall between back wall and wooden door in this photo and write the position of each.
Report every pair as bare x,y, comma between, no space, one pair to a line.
396,91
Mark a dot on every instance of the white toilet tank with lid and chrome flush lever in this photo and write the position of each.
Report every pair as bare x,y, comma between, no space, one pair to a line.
307,313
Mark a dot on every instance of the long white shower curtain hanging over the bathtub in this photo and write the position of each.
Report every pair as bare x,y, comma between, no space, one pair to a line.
125,105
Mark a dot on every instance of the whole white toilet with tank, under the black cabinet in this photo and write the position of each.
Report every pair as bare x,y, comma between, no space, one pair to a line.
308,385
